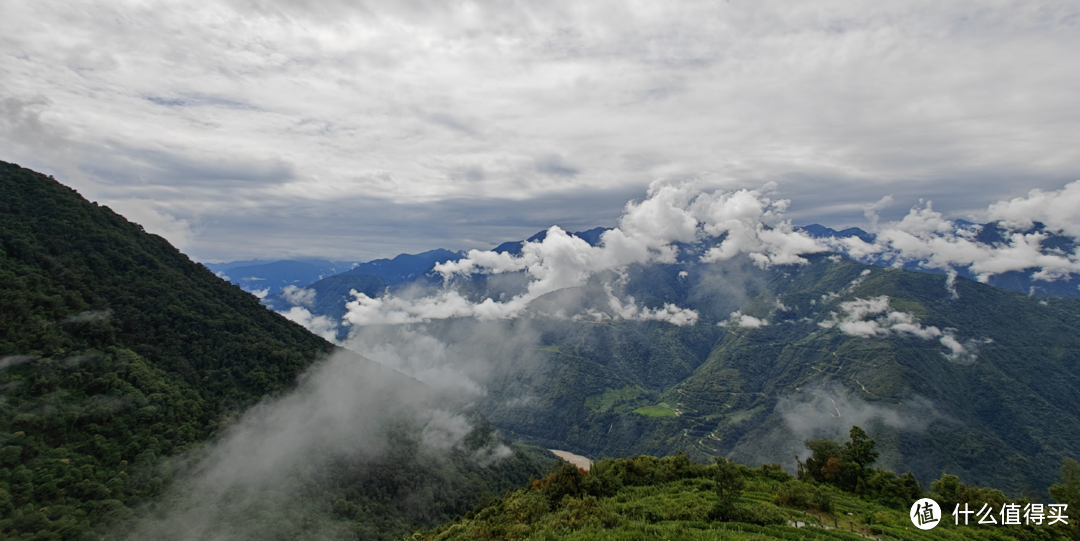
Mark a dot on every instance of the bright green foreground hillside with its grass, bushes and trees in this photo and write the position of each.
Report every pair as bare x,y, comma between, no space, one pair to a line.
644,498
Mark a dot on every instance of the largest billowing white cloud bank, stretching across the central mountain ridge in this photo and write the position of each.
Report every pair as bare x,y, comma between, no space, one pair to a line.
745,222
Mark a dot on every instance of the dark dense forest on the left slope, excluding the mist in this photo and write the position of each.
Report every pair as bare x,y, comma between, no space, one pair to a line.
123,363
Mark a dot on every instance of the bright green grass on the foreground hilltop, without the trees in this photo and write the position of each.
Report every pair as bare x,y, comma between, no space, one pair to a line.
679,511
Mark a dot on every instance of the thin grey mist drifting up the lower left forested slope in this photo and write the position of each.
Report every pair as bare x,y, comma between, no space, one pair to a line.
285,469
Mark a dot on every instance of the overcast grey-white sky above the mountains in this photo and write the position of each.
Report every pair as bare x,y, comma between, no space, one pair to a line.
352,131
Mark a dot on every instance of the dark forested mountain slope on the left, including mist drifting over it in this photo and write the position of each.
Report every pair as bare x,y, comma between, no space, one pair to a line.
144,398
